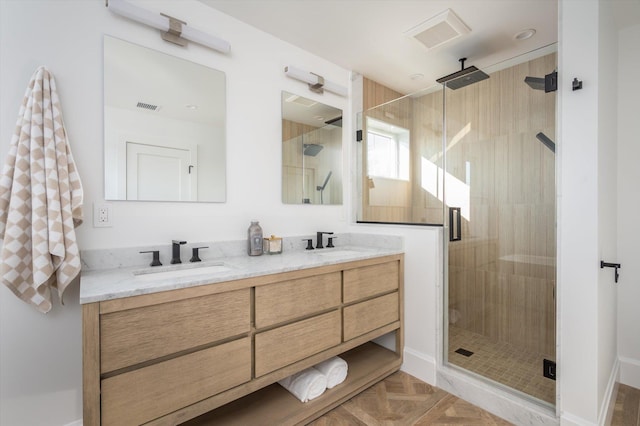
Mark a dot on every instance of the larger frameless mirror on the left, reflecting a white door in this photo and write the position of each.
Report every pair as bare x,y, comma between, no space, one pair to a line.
164,126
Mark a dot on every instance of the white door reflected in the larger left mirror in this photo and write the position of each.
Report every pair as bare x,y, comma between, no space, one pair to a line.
160,173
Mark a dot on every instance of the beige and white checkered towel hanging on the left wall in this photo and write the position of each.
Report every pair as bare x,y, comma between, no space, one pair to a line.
40,200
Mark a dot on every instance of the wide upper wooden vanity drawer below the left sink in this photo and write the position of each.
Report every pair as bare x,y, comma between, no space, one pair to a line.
137,335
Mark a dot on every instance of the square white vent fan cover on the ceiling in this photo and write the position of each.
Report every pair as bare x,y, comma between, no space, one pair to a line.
440,29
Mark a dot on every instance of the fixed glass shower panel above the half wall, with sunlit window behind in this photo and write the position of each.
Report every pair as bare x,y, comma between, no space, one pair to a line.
400,161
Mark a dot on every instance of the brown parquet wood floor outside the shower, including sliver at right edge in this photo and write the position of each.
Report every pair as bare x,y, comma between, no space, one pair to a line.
403,400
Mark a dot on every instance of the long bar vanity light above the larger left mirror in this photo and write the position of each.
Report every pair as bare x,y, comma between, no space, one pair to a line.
173,30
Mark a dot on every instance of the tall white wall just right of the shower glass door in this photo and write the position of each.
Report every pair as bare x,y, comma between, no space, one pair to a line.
587,212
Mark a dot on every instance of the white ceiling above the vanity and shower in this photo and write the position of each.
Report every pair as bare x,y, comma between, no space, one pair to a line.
367,36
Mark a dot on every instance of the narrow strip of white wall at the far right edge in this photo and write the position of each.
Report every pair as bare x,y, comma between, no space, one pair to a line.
628,206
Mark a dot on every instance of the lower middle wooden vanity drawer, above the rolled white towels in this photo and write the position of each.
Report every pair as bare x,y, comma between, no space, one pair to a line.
285,345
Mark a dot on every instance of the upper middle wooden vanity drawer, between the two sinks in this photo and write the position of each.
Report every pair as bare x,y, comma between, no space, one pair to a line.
292,299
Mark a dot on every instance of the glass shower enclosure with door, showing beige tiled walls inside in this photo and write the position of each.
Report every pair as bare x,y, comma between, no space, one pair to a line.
479,160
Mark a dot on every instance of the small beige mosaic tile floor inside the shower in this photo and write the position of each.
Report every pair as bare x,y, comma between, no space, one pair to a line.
501,362
